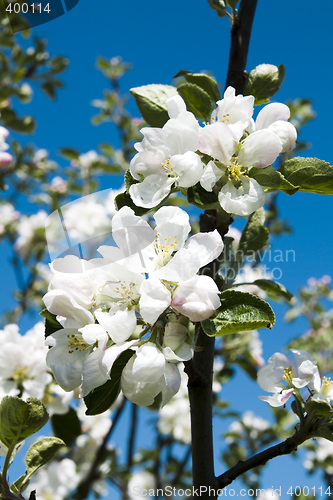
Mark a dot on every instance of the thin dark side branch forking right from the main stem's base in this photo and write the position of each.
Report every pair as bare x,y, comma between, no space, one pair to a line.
284,448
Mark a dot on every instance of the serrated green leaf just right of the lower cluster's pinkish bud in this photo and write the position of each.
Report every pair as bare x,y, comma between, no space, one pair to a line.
239,312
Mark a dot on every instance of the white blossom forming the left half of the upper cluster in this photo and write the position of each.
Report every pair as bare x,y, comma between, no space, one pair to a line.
165,156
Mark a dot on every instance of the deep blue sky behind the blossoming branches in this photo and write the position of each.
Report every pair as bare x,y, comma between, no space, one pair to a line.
161,38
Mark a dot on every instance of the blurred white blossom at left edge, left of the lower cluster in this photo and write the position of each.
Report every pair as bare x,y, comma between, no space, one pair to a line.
23,369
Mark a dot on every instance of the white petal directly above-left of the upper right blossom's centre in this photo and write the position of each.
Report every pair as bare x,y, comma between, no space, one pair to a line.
218,141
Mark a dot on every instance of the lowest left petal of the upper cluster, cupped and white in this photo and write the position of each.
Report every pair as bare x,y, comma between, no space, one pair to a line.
151,191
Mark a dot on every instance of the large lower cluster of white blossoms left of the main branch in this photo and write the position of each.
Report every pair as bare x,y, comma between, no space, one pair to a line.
140,297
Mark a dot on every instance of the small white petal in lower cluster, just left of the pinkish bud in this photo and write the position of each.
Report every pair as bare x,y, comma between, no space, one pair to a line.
155,298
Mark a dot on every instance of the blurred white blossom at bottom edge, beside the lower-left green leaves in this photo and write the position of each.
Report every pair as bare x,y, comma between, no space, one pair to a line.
56,480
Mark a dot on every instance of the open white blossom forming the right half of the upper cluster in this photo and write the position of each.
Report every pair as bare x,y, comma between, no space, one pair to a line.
237,144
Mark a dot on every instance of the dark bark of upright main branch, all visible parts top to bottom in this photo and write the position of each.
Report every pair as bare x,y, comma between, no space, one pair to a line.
200,368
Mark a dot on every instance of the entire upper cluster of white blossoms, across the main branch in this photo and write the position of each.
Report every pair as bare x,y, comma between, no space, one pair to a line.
233,142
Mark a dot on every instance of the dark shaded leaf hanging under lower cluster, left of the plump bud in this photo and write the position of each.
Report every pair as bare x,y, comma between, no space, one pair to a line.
100,399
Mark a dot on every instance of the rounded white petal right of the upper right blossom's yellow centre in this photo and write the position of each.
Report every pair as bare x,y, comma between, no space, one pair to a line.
260,149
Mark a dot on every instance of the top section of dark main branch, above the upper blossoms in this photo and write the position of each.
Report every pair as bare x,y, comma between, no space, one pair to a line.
240,40
